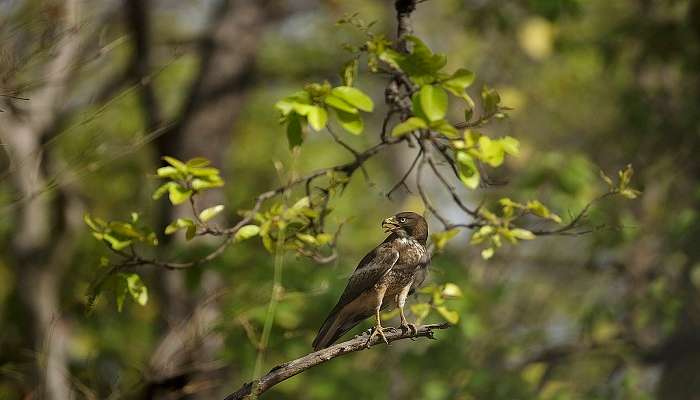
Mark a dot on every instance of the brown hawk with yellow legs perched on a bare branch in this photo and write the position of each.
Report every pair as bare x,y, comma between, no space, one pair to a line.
384,277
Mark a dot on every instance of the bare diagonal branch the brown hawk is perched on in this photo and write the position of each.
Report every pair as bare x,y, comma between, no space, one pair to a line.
287,370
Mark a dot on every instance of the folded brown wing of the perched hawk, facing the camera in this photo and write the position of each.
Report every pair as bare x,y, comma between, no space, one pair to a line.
368,272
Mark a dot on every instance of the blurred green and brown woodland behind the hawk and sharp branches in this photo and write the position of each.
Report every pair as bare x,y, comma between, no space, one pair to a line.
114,85
